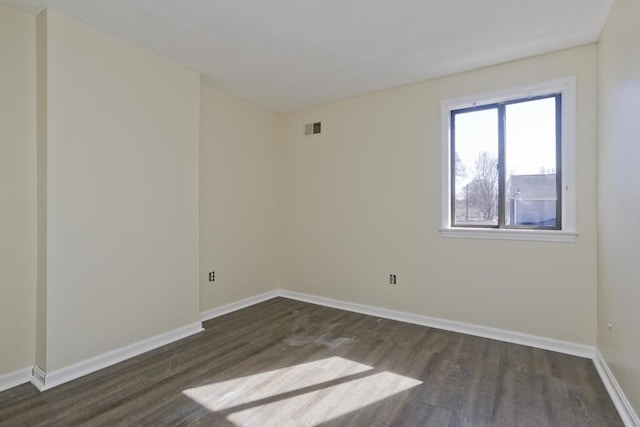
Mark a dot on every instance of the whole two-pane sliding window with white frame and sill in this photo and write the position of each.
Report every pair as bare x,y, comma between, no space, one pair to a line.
509,164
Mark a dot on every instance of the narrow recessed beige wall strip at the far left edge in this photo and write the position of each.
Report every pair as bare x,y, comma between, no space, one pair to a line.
17,190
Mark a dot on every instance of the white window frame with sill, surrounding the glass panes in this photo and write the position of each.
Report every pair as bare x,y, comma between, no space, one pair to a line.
565,86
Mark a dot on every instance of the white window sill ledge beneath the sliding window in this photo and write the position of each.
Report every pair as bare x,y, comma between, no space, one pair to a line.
510,234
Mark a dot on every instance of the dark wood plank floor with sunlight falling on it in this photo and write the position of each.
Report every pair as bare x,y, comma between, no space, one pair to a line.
289,363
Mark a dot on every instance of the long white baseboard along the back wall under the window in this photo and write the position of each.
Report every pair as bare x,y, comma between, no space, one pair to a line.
565,347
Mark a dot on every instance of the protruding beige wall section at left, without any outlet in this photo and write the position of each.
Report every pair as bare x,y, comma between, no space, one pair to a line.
122,193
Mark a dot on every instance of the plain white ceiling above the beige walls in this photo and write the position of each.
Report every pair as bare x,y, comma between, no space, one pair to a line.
288,54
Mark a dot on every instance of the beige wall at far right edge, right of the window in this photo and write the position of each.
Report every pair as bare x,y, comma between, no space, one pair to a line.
619,196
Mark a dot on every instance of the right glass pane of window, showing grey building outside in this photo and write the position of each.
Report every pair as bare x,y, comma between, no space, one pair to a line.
530,157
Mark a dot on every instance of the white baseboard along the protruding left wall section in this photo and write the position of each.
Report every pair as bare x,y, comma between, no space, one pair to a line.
46,380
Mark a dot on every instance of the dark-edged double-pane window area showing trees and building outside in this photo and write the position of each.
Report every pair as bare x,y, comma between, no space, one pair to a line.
520,138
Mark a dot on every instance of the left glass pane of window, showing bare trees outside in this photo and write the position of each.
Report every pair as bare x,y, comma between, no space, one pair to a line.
476,180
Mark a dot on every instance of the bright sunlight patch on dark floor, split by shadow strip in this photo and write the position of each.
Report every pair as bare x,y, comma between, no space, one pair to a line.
306,394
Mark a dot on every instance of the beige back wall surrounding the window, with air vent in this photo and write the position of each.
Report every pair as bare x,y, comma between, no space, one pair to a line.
362,201
